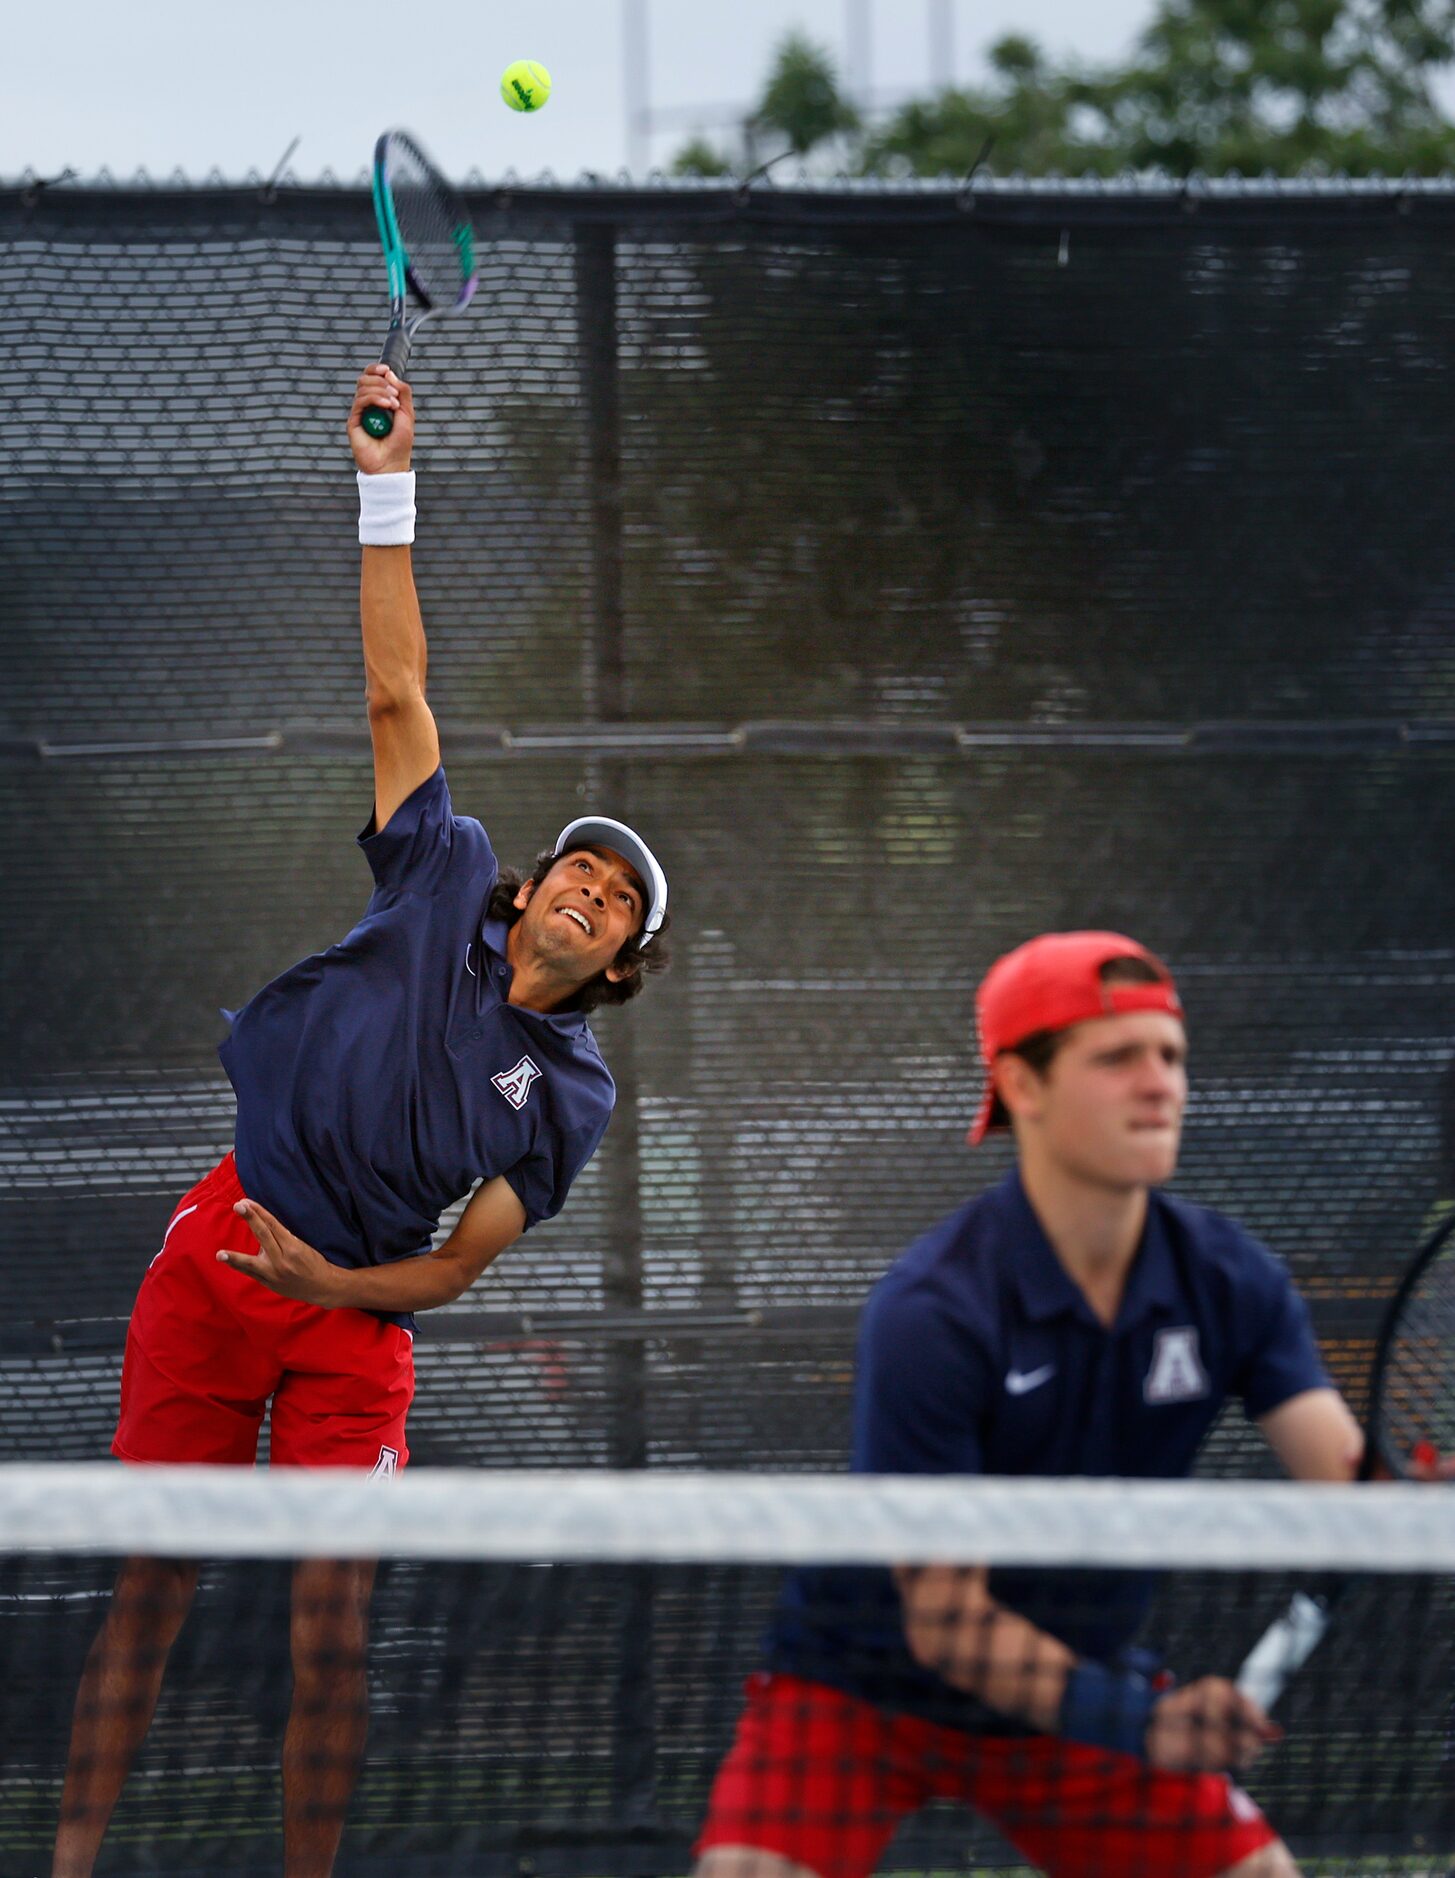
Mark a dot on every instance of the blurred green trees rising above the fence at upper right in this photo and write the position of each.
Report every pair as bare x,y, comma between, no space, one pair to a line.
1259,87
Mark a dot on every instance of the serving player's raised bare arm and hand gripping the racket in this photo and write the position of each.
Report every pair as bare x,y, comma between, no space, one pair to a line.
401,726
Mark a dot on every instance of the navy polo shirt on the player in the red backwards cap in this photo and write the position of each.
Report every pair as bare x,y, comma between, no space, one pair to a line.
979,1355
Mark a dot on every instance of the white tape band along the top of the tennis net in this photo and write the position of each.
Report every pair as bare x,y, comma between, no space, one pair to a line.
726,1518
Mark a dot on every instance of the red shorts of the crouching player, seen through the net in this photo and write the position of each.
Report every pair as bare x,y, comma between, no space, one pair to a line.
825,1779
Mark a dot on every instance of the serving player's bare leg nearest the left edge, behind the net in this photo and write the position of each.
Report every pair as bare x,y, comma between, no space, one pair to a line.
117,1701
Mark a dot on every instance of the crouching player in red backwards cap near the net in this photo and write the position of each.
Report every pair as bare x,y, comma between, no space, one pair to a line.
1069,1321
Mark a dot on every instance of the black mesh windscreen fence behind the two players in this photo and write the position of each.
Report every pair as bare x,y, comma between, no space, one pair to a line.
917,577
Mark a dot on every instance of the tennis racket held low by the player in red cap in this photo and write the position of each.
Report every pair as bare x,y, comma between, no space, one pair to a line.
1411,1426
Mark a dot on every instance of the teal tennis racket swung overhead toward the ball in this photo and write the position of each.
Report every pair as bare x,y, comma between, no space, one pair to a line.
429,251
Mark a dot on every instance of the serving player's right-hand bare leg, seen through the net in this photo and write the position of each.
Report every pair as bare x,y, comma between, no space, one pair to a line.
329,1717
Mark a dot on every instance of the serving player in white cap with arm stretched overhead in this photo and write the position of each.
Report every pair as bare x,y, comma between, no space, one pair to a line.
442,1045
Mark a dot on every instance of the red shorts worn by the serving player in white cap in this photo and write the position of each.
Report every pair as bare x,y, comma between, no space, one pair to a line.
207,1347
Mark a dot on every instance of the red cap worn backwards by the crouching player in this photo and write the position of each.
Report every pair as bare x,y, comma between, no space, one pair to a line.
1049,985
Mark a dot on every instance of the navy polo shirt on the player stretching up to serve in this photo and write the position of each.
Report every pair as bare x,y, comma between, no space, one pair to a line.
378,1081
